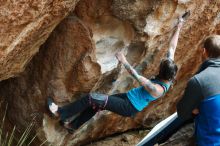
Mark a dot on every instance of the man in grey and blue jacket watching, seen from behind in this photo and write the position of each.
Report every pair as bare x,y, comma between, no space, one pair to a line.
202,99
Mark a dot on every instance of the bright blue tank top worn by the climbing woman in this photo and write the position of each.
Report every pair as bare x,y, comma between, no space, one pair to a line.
140,98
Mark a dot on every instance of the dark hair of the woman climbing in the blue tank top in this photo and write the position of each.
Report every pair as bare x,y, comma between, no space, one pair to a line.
168,69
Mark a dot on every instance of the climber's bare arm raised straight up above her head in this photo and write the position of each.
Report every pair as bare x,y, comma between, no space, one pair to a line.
173,41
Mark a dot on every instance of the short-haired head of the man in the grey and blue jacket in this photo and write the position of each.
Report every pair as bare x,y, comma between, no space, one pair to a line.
212,46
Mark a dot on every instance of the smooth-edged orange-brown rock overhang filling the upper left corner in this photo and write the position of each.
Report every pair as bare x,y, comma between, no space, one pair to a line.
25,25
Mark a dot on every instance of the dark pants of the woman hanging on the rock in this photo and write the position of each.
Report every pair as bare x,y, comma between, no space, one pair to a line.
118,103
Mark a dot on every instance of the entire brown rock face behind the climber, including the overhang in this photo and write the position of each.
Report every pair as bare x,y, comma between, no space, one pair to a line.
78,57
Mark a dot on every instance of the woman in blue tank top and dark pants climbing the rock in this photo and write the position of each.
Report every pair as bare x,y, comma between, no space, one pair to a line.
125,104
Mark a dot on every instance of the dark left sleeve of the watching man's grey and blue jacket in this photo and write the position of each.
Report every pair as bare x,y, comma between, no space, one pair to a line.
190,100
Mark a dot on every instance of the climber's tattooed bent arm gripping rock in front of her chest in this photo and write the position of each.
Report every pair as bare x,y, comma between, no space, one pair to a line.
148,85
